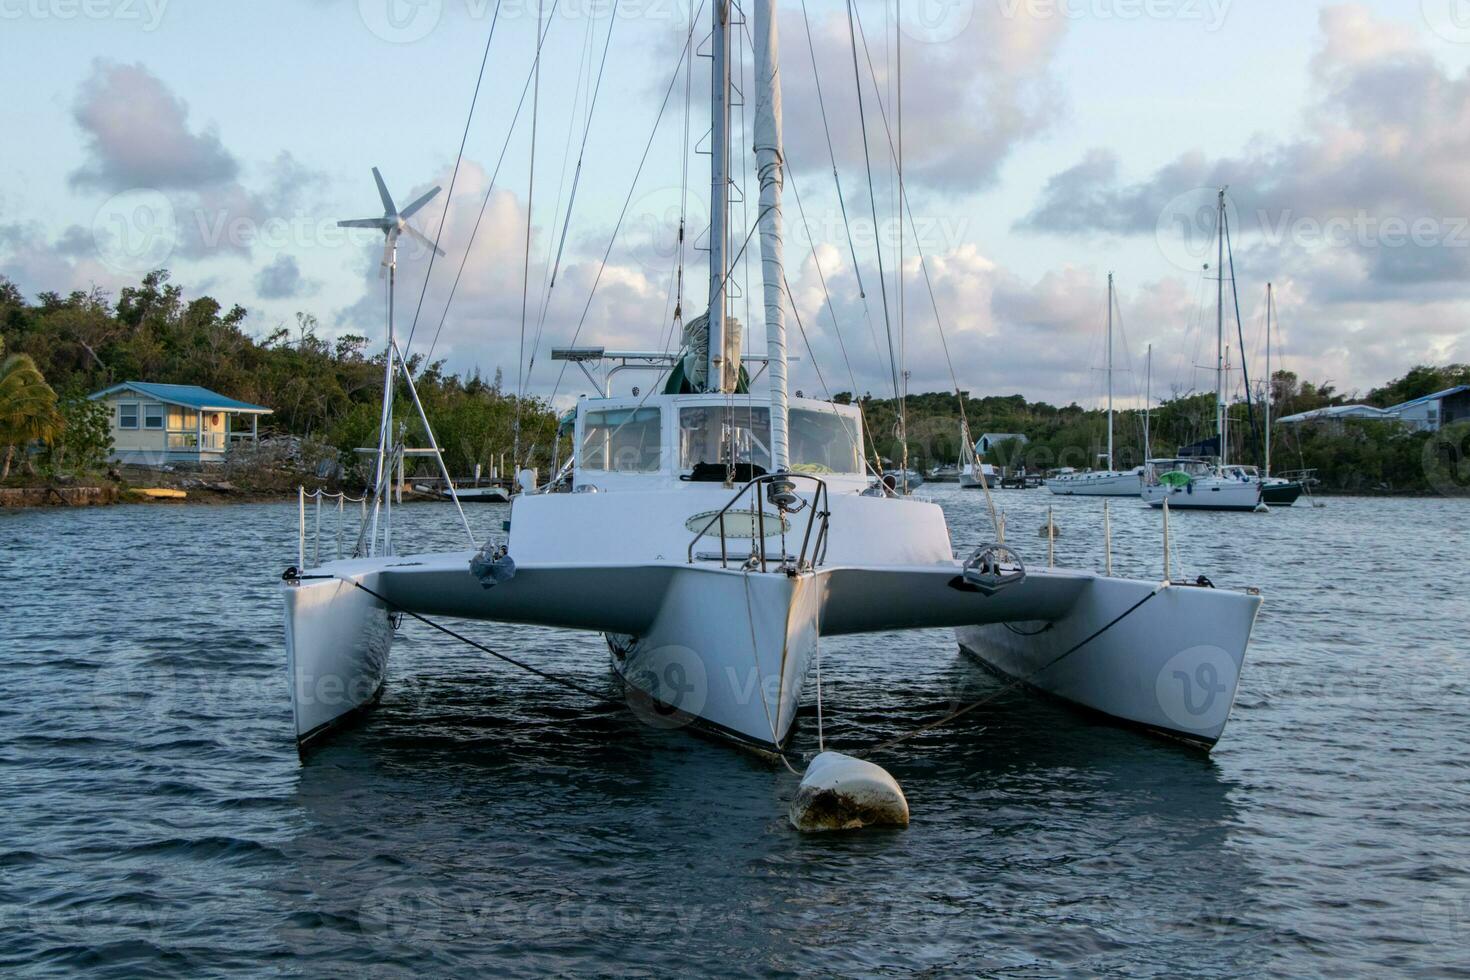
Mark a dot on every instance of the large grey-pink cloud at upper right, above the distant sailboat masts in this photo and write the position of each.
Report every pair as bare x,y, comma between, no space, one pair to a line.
1378,168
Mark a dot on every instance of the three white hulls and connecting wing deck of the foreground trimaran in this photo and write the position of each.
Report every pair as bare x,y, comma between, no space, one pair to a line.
731,650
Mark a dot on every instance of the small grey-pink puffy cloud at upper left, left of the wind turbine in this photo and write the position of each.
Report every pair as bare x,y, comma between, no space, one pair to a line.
139,136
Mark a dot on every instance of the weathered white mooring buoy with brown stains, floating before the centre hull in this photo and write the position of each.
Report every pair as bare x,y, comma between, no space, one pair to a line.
842,793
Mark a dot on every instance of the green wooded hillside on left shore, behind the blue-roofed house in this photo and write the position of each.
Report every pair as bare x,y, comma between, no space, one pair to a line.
320,389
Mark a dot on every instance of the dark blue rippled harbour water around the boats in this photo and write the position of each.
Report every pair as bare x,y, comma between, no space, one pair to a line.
155,816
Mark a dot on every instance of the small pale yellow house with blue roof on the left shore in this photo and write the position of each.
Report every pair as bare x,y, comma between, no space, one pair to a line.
176,424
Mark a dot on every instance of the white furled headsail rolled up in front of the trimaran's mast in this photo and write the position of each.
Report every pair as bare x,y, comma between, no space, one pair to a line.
770,162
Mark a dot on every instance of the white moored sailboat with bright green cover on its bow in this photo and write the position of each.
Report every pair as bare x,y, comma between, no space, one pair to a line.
1196,484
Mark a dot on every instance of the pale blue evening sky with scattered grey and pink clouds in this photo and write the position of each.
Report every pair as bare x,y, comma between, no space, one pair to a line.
1044,145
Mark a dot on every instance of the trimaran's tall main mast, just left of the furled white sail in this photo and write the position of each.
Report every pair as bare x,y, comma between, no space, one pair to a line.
720,190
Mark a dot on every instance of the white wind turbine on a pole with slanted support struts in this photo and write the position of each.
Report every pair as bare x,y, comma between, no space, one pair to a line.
393,226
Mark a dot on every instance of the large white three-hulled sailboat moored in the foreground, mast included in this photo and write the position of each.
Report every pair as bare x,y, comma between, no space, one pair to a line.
715,537
